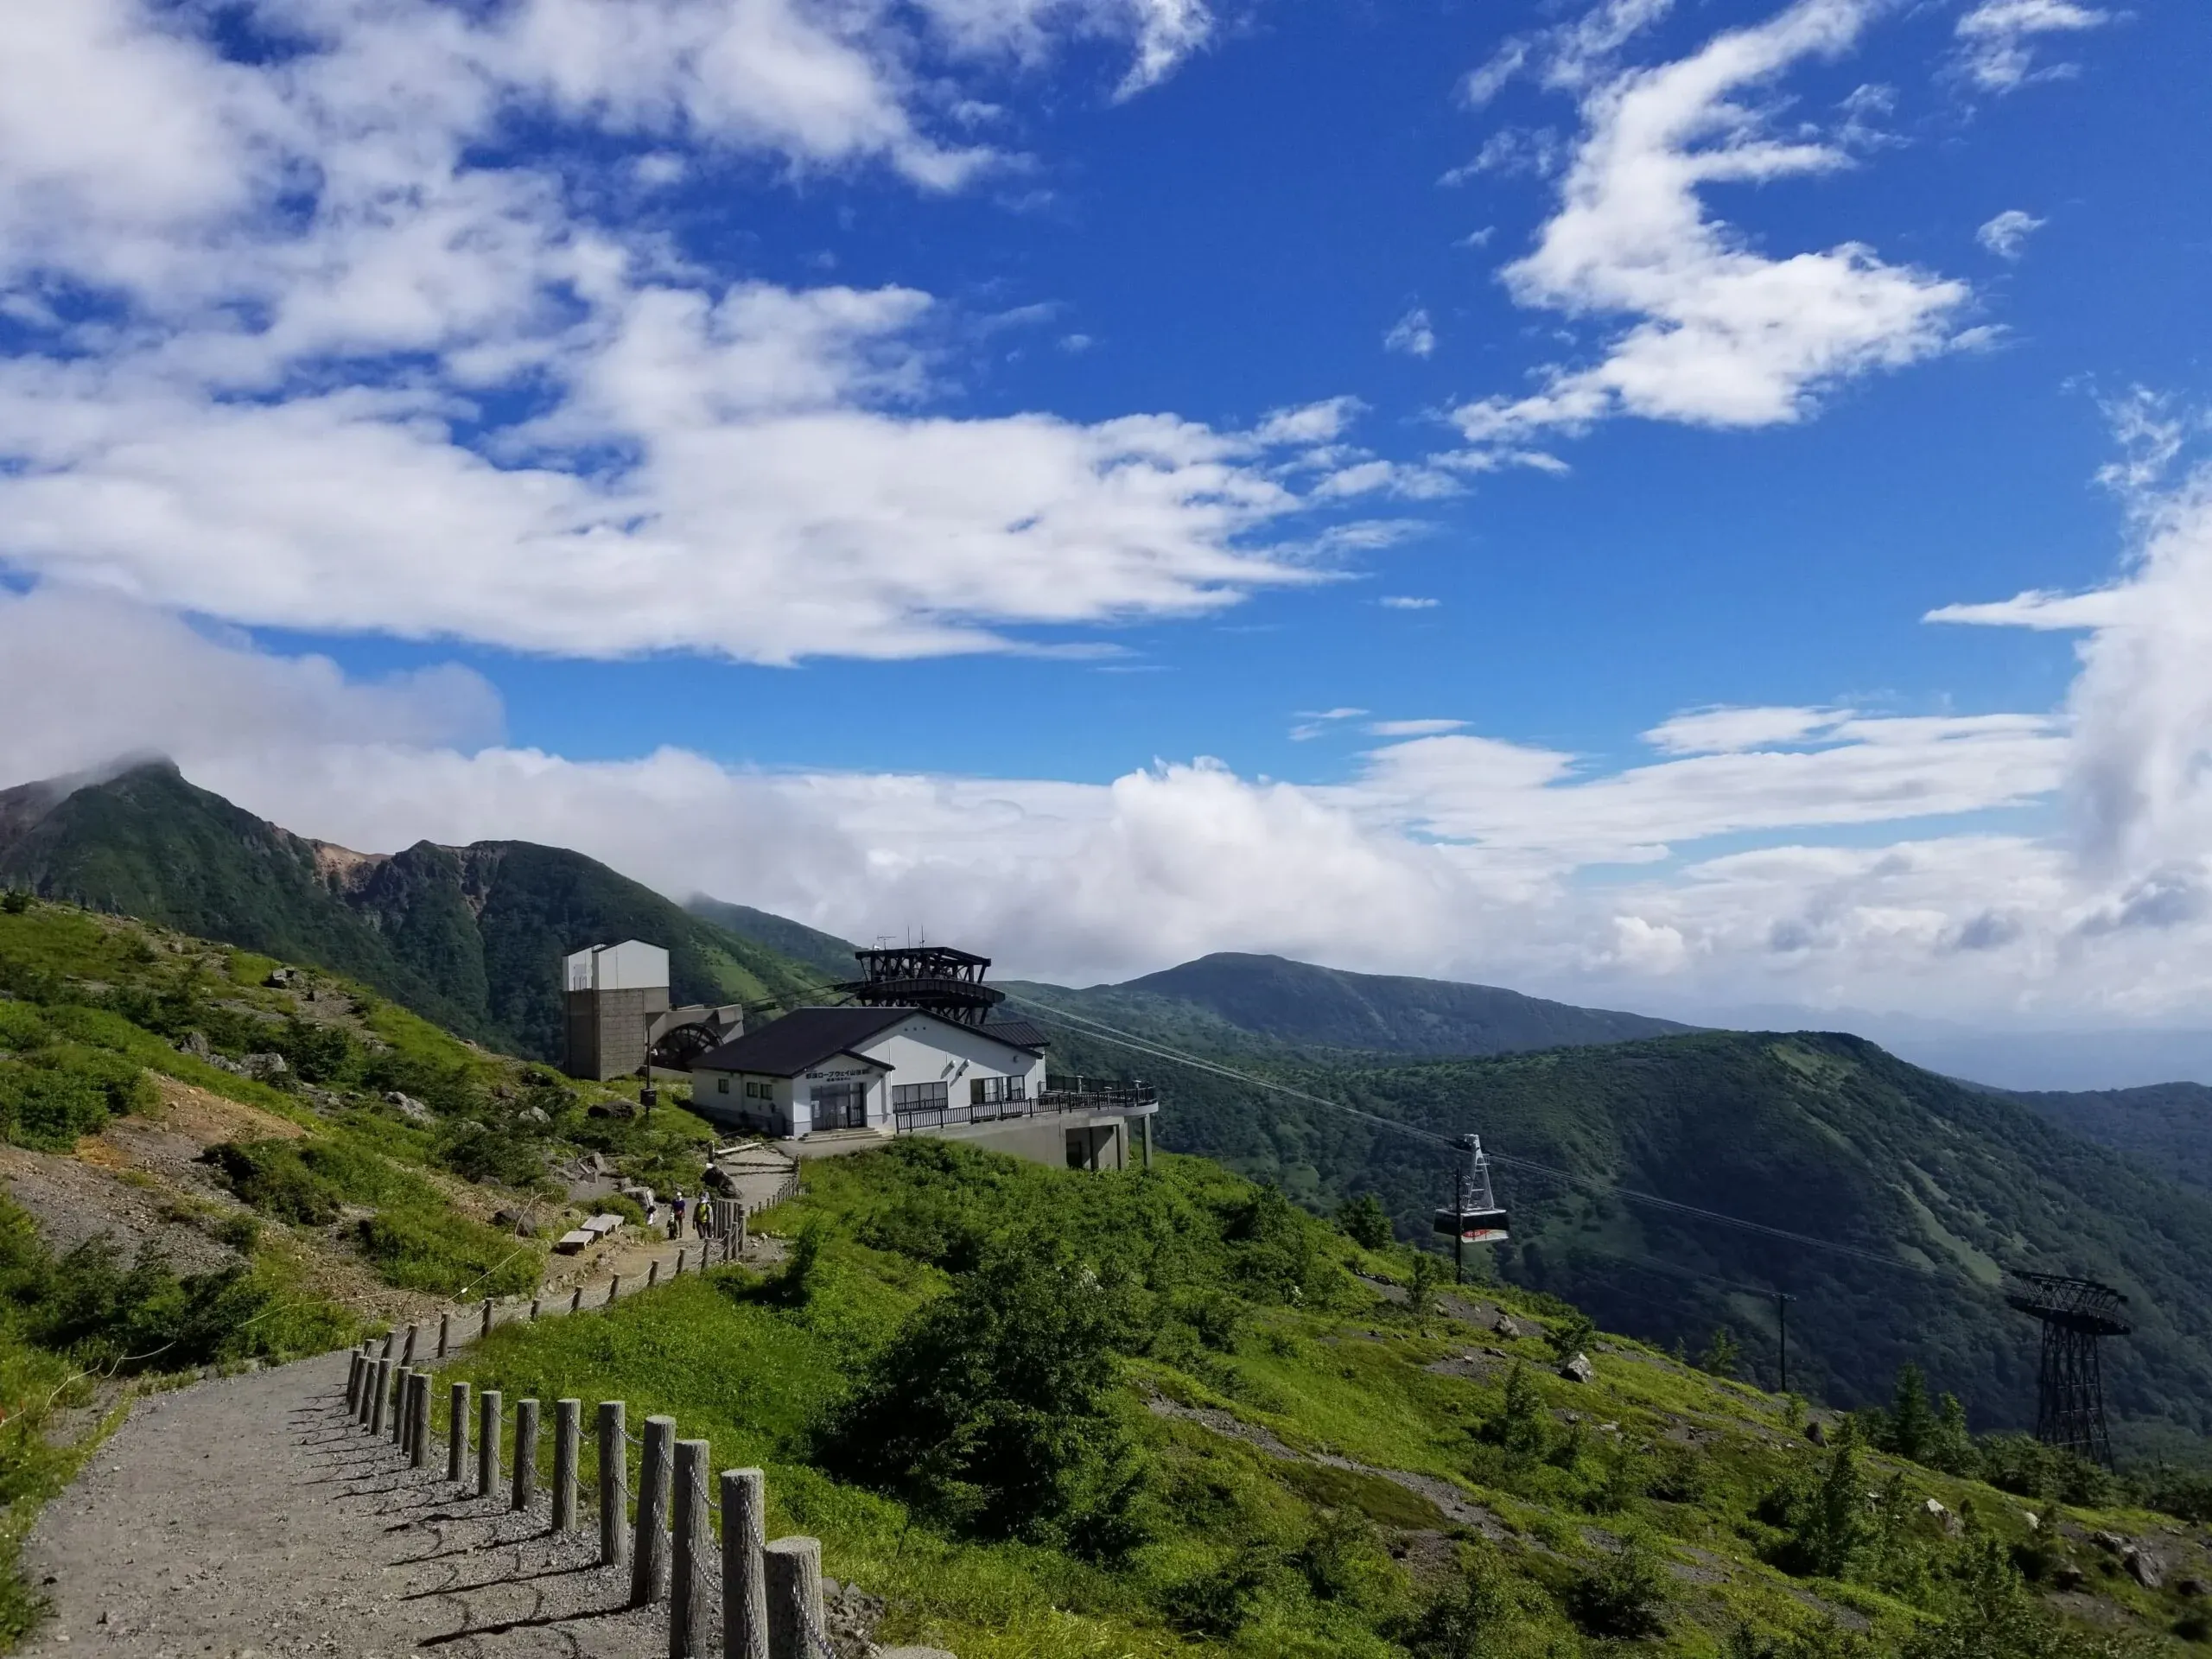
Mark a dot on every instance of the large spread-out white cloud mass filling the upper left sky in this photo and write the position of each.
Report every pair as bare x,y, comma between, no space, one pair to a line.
364,366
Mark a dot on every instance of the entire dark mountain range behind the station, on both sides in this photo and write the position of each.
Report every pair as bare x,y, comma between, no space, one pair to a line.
1806,1134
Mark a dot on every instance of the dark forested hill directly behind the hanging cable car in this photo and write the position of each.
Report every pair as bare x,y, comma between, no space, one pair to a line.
1811,1134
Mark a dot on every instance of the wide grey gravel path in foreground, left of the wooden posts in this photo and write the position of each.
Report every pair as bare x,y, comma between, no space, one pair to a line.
249,1516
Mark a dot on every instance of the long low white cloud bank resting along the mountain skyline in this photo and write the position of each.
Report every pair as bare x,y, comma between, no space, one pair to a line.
1452,855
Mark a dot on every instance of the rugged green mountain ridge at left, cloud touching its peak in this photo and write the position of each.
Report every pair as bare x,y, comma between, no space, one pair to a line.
468,937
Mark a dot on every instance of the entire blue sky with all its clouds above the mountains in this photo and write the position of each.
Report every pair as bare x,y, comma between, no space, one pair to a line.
1118,479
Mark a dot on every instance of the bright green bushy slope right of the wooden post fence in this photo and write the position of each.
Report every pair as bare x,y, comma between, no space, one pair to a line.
1293,1461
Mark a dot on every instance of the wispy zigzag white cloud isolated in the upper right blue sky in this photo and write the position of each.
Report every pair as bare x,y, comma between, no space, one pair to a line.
1718,333
